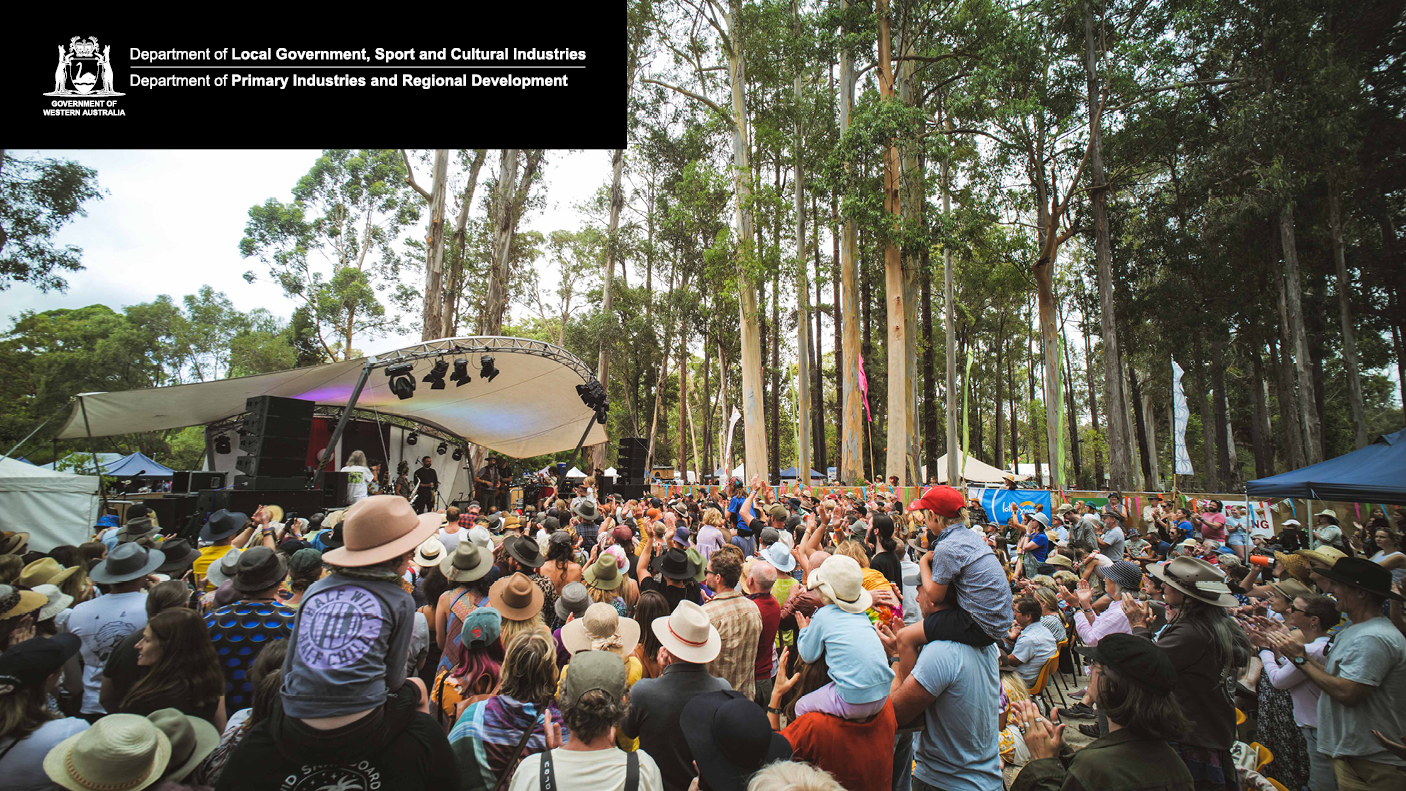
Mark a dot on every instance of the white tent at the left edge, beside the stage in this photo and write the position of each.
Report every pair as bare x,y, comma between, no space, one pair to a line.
54,508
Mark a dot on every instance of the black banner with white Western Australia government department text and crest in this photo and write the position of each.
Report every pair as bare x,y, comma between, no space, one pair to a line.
555,81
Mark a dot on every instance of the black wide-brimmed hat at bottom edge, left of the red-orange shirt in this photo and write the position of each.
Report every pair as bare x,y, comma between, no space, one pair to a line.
730,740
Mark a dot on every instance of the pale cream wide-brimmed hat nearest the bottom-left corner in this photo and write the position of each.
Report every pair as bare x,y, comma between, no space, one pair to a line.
120,751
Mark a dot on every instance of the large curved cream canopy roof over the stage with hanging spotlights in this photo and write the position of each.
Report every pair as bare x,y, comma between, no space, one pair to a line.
529,410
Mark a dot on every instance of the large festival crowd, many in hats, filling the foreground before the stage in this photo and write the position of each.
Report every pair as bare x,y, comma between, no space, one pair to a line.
757,639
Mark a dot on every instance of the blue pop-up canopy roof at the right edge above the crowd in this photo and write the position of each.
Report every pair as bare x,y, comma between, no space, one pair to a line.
1376,474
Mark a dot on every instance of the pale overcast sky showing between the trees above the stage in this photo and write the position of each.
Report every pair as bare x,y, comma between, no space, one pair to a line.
172,223
